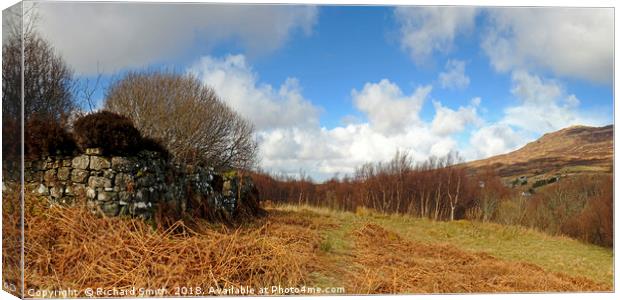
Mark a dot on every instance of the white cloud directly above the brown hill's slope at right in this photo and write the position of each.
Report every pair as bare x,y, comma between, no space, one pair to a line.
543,106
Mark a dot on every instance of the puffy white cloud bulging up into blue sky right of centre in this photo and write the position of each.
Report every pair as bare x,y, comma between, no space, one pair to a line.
387,108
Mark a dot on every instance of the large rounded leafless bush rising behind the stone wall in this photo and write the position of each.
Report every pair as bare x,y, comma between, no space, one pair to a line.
186,116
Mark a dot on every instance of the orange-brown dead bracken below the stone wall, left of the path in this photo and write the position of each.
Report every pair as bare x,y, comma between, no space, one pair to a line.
67,248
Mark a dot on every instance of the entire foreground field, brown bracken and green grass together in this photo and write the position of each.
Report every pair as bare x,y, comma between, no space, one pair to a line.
355,253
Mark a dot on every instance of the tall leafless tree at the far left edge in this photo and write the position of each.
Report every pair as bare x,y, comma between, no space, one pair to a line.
47,81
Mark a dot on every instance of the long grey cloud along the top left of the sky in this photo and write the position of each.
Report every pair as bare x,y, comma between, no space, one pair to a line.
122,35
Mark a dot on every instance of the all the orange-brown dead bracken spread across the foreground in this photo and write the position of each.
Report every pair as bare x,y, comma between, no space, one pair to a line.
67,248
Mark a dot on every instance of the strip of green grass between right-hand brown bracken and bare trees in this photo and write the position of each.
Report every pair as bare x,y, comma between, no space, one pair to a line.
508,243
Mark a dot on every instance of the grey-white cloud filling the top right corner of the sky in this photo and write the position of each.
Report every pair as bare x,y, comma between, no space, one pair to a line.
572,42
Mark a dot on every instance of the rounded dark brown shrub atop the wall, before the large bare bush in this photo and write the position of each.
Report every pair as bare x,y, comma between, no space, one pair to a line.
114,133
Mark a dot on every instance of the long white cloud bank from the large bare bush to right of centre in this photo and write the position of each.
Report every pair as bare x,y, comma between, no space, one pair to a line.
291,138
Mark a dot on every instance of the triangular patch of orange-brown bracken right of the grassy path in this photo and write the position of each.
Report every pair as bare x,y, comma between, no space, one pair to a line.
390,264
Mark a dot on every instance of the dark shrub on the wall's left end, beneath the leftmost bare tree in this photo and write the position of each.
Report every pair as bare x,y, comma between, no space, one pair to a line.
45,136
